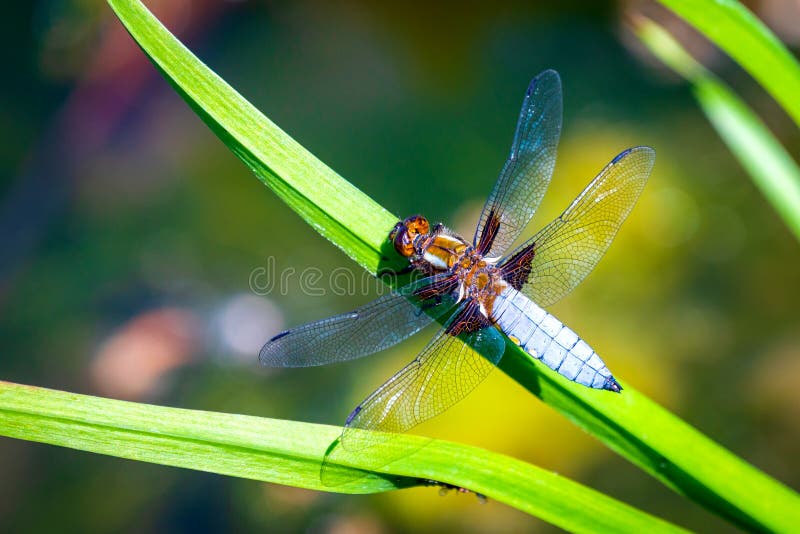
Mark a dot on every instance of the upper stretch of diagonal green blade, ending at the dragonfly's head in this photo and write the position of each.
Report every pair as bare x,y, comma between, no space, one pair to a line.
330,204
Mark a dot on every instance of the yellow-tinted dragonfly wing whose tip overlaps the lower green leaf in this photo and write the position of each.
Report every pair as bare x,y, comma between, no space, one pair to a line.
441,375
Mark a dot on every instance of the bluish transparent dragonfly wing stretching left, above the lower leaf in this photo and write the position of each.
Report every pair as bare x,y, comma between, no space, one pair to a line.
376,326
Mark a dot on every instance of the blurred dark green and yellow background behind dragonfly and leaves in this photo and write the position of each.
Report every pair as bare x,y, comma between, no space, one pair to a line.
131,237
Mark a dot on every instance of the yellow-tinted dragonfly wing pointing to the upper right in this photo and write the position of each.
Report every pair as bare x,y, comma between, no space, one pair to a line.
564,252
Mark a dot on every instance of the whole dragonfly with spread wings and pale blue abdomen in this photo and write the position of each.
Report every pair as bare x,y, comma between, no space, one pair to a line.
482,291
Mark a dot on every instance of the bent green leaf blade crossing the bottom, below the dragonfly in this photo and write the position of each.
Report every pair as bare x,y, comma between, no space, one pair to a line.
291,453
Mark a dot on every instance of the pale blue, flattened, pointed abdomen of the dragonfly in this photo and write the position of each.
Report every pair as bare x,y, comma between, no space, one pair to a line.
547,339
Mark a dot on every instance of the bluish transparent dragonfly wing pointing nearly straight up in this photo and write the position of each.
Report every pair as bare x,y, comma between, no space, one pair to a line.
528,169
